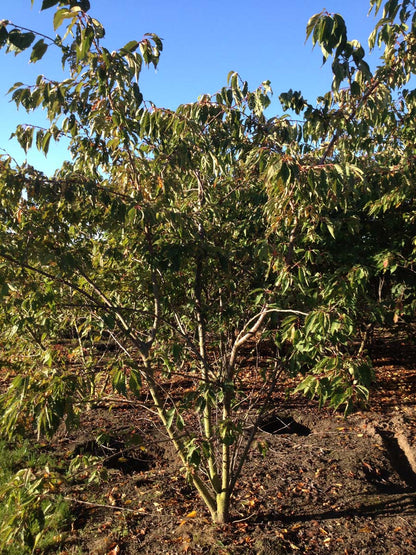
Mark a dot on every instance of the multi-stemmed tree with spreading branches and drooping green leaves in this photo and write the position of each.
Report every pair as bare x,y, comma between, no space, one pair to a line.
176,237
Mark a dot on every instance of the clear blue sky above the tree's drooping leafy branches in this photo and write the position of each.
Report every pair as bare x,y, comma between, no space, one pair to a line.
203,41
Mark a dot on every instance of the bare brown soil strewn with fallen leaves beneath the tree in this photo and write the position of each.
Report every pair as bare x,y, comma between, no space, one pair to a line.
325,485
